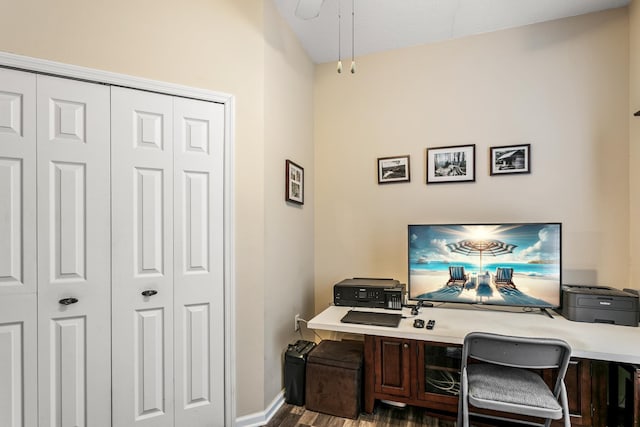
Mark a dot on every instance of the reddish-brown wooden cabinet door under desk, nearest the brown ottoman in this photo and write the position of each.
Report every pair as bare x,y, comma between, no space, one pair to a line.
393,366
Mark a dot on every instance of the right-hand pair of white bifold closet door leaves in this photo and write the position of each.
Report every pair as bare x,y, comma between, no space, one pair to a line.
168,312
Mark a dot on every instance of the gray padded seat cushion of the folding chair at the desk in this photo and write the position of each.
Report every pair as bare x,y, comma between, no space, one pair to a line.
511,389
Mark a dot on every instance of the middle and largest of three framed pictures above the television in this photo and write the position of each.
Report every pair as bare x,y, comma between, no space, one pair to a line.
451,164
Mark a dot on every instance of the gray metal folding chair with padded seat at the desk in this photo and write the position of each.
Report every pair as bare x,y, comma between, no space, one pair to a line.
501,380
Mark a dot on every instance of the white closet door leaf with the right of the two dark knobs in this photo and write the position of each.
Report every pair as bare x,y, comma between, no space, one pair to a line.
142,183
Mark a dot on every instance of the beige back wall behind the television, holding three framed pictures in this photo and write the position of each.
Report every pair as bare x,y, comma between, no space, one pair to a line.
561,86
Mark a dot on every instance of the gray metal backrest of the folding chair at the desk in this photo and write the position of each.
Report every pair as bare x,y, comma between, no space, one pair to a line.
519,352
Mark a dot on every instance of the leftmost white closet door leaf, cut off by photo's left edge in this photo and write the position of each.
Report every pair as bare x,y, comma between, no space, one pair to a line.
18,339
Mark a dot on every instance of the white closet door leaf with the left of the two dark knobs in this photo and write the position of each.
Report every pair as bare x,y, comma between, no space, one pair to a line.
73,253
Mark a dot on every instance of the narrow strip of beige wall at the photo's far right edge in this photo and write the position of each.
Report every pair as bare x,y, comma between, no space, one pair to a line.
634,140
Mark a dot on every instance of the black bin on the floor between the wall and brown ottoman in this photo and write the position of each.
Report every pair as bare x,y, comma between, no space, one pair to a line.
295,364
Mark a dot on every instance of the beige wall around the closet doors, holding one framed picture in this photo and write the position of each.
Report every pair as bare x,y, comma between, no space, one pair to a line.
218,45
